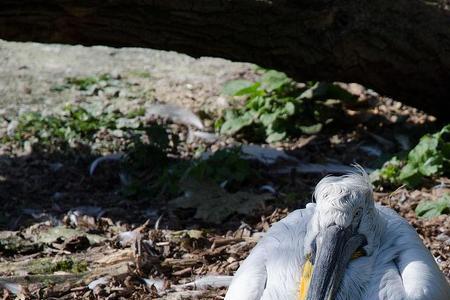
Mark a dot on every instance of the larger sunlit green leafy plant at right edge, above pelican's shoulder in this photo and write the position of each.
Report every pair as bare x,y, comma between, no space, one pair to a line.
430,157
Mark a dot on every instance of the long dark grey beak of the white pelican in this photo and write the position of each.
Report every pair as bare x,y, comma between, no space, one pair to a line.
333,254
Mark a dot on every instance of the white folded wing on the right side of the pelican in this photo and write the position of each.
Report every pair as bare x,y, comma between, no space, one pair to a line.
406,268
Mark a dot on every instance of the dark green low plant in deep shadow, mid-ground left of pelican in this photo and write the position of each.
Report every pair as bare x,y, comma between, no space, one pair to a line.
154,173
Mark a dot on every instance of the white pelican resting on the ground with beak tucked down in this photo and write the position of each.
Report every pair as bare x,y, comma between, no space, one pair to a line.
343,246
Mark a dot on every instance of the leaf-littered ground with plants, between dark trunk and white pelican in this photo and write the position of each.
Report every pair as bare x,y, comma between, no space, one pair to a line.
140,174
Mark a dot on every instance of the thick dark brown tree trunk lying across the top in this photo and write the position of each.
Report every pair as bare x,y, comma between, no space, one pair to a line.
399,48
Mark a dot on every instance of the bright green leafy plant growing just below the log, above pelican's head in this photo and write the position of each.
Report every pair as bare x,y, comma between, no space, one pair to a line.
276,107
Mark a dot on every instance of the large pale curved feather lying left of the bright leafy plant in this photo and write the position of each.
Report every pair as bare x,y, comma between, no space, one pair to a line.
176,114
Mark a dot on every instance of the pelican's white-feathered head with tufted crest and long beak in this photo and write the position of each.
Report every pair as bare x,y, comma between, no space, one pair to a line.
345,225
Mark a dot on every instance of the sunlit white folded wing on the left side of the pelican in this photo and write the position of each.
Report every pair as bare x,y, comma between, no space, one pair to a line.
274,265
